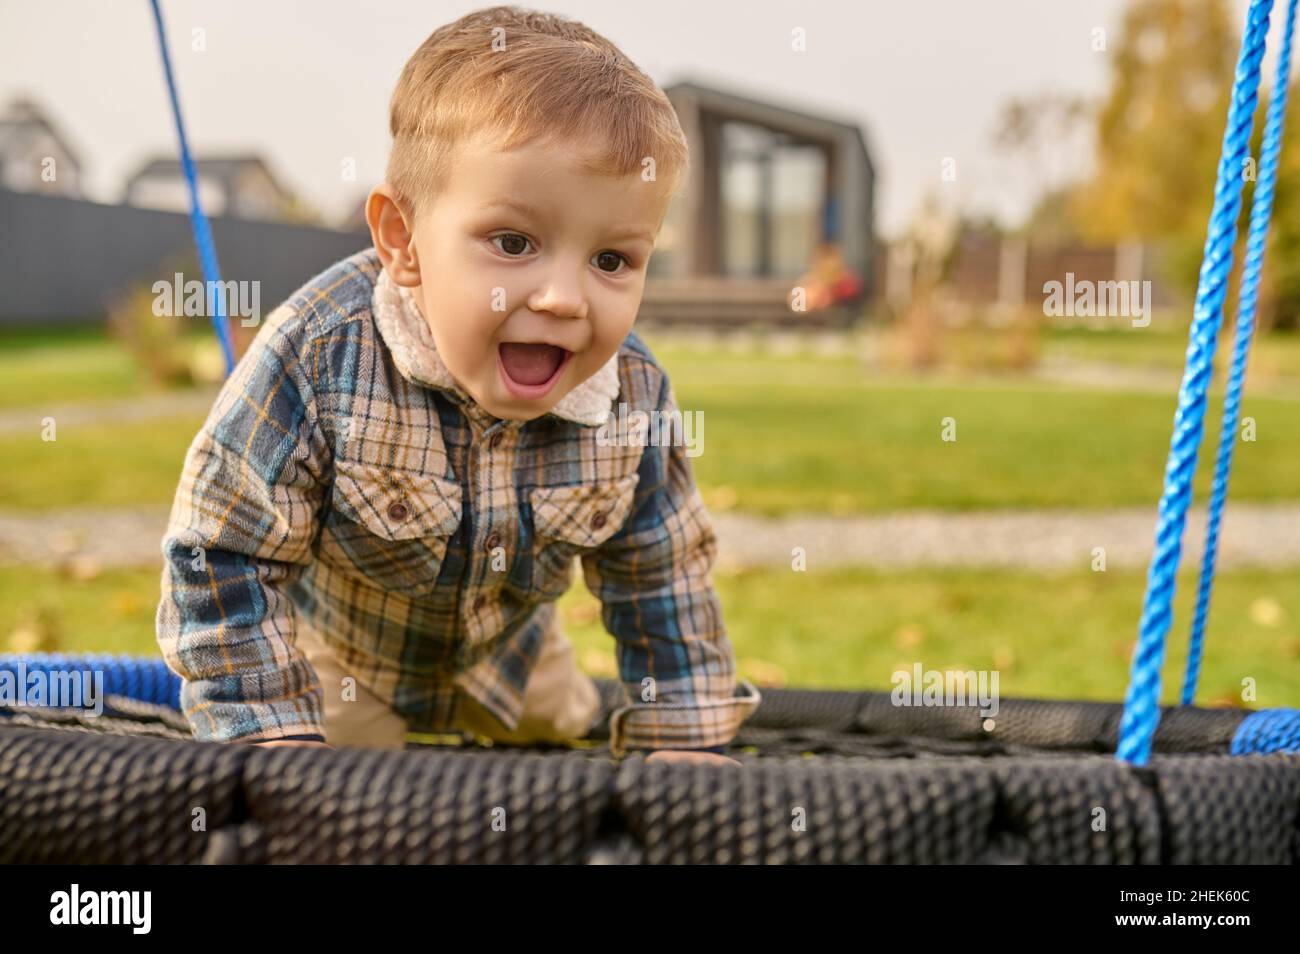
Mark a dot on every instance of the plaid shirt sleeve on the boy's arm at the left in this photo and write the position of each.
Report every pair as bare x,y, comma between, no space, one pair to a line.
241,530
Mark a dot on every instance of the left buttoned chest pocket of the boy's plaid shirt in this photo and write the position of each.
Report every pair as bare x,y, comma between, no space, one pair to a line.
393,527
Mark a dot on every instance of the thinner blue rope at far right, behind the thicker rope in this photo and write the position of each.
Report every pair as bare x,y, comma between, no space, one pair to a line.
1262,210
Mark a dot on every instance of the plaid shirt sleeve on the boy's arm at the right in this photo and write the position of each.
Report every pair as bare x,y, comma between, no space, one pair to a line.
660,604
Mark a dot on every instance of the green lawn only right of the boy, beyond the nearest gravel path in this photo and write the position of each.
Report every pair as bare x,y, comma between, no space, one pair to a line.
787,435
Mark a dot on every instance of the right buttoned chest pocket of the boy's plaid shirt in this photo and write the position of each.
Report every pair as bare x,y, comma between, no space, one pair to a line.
570,522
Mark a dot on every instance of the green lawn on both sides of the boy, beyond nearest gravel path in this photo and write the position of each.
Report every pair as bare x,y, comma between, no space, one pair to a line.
791,433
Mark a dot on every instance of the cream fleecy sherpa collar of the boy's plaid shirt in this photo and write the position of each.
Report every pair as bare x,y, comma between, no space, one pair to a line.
414,353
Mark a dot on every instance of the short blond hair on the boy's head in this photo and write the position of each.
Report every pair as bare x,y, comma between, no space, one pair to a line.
526,76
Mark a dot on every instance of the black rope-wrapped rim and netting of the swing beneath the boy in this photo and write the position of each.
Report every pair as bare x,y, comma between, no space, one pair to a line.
826,778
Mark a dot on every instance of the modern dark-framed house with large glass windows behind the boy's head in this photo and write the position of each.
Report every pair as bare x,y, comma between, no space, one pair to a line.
769,187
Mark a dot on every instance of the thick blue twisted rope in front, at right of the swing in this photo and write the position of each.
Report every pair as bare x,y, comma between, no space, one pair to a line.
1142,701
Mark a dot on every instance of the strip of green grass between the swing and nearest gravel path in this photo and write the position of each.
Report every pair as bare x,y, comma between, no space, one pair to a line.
1059,636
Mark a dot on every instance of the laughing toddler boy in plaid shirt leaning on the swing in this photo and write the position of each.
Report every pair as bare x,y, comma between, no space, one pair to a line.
388,497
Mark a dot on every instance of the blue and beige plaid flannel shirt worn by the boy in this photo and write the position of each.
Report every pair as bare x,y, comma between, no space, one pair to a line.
343,480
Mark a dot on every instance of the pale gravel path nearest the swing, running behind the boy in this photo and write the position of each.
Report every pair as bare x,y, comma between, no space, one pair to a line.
1254,536
